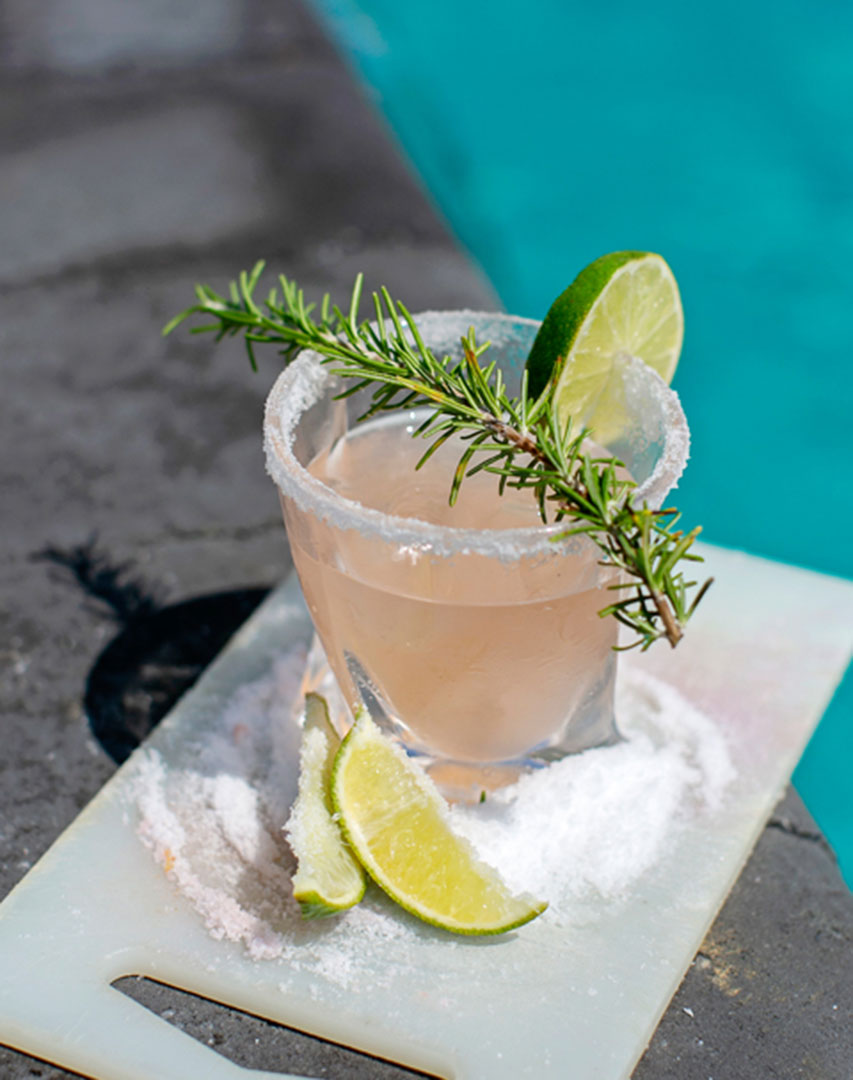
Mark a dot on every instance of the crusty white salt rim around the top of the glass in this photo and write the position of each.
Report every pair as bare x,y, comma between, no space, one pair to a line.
304,382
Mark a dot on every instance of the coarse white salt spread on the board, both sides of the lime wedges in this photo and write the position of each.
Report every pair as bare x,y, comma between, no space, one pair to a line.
579,833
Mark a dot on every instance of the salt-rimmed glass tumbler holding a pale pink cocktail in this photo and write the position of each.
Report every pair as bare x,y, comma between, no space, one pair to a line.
480,650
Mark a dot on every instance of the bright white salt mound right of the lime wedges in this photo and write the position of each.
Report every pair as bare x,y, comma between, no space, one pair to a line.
586,829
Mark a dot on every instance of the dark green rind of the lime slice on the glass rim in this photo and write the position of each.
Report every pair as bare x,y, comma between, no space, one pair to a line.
566,317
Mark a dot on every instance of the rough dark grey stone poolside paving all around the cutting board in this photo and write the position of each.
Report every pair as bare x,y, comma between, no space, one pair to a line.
147,146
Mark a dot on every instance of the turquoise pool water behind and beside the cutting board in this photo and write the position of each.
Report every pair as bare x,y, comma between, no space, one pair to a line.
721,137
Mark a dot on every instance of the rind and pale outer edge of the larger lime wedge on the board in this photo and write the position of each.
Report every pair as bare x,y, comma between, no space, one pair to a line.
524,909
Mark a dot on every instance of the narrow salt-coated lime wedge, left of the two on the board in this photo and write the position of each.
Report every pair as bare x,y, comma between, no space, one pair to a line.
329,880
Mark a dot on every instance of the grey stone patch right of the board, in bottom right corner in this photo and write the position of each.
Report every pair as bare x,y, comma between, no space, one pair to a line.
770,994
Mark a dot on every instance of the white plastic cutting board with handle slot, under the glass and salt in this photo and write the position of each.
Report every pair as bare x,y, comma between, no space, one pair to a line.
762,659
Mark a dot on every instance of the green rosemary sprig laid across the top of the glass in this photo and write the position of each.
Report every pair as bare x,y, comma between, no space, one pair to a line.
520,440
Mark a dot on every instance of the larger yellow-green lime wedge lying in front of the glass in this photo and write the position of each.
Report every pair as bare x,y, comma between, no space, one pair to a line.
398,825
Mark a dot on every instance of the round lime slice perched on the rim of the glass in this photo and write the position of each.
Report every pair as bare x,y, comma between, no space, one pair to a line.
626,303
